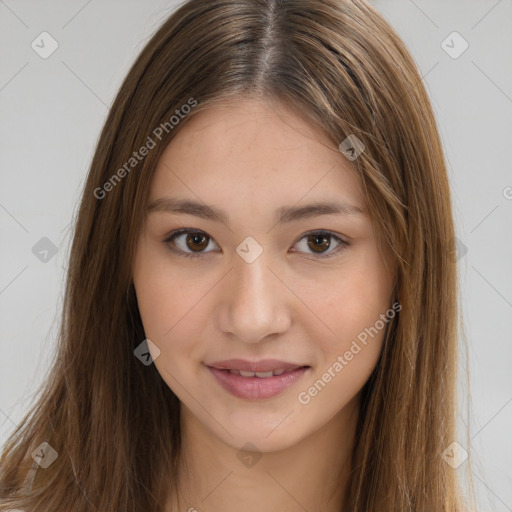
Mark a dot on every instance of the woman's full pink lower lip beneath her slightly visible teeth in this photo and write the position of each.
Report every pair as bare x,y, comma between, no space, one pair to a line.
256,387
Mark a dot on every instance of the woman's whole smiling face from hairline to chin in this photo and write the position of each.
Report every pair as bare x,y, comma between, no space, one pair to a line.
253,280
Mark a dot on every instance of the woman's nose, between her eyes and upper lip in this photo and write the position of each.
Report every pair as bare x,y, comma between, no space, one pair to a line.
254,302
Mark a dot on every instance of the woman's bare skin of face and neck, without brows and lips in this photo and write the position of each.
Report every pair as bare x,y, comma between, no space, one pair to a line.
249,158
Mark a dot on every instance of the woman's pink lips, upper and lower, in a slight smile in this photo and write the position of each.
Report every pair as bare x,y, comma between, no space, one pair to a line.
256,388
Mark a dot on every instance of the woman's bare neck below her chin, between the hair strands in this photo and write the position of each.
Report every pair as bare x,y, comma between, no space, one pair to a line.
310,475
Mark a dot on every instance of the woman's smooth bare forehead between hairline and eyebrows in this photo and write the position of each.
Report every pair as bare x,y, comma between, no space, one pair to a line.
250,149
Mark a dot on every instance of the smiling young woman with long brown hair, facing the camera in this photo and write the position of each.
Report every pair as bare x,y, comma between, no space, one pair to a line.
261,307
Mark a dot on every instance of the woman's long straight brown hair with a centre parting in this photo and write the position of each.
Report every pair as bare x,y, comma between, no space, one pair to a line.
113,421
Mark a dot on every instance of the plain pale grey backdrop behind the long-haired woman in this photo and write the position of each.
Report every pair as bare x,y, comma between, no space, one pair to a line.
51,113
